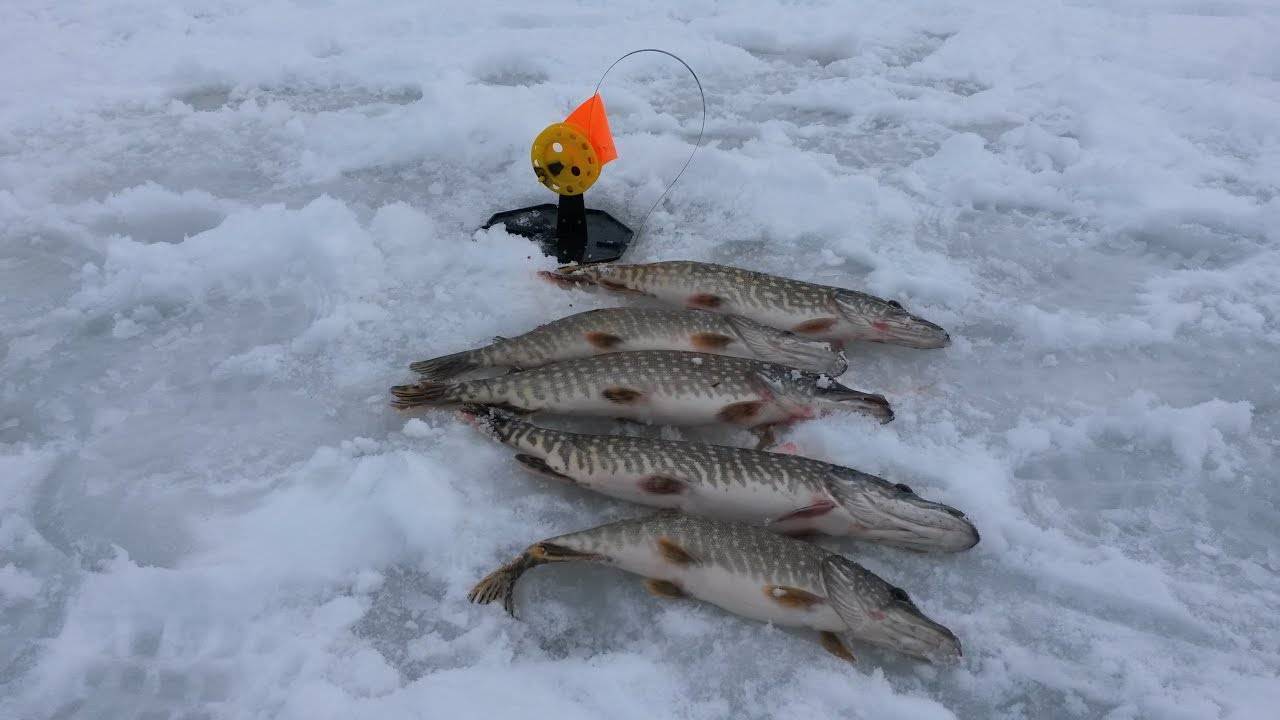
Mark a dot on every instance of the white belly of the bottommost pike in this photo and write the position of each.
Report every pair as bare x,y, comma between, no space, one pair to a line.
738,594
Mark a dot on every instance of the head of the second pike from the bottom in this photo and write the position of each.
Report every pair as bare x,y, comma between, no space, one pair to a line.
893,514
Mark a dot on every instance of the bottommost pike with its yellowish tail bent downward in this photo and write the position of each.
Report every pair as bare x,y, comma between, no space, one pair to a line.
749,572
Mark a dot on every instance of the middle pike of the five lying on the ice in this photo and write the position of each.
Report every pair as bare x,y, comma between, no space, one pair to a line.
656,386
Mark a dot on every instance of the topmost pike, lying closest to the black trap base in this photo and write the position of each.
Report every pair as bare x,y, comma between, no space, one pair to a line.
812,311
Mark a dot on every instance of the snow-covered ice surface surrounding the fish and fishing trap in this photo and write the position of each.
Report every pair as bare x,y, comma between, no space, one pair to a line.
228,227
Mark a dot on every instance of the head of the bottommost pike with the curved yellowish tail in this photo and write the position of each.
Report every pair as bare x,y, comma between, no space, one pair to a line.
884,616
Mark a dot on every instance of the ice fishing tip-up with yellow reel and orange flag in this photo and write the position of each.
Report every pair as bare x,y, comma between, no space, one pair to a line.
568,160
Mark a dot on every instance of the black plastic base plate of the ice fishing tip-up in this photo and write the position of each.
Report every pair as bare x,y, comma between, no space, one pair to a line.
606,238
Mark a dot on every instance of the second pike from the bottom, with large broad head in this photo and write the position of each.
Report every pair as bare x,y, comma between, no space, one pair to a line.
788,494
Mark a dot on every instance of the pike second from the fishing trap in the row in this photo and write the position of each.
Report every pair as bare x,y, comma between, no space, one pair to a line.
618,330
